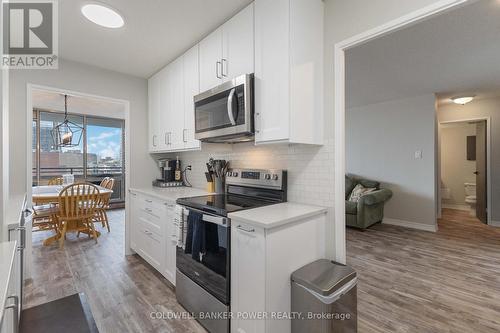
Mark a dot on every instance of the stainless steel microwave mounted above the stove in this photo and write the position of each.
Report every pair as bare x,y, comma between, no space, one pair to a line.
225,113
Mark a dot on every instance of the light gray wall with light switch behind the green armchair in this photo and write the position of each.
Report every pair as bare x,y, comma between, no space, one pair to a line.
381,141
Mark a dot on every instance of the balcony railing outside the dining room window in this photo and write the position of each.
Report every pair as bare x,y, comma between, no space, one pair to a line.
94,175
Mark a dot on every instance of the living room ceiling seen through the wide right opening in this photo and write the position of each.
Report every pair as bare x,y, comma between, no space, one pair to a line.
451,54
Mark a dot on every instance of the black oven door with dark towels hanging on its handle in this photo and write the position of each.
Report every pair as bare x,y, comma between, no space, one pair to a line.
205,254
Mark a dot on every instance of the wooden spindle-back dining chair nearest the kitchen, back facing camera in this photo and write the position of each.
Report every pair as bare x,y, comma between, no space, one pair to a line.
77,206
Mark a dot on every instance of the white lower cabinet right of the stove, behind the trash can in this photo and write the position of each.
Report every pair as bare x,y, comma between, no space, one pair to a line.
262,261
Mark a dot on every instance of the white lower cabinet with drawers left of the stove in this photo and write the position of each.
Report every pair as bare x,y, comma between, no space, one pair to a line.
151,230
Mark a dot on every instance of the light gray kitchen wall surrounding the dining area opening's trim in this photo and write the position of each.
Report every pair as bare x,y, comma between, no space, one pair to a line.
85,79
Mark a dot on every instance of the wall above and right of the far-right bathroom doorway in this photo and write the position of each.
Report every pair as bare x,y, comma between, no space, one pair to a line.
479,108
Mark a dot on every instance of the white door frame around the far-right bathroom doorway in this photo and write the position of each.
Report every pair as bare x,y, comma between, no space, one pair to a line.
488,159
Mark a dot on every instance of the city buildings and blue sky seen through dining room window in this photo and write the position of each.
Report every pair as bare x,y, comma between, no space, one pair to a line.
99,153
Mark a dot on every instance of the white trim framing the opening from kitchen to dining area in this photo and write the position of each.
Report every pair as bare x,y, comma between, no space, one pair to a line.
30,87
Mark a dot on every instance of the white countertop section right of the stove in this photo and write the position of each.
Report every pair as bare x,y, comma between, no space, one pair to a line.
277,215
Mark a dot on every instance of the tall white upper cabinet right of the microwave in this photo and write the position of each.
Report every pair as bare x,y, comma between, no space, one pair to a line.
289,71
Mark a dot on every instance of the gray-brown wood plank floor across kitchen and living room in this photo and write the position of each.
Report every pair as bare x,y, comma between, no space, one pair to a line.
410,281
